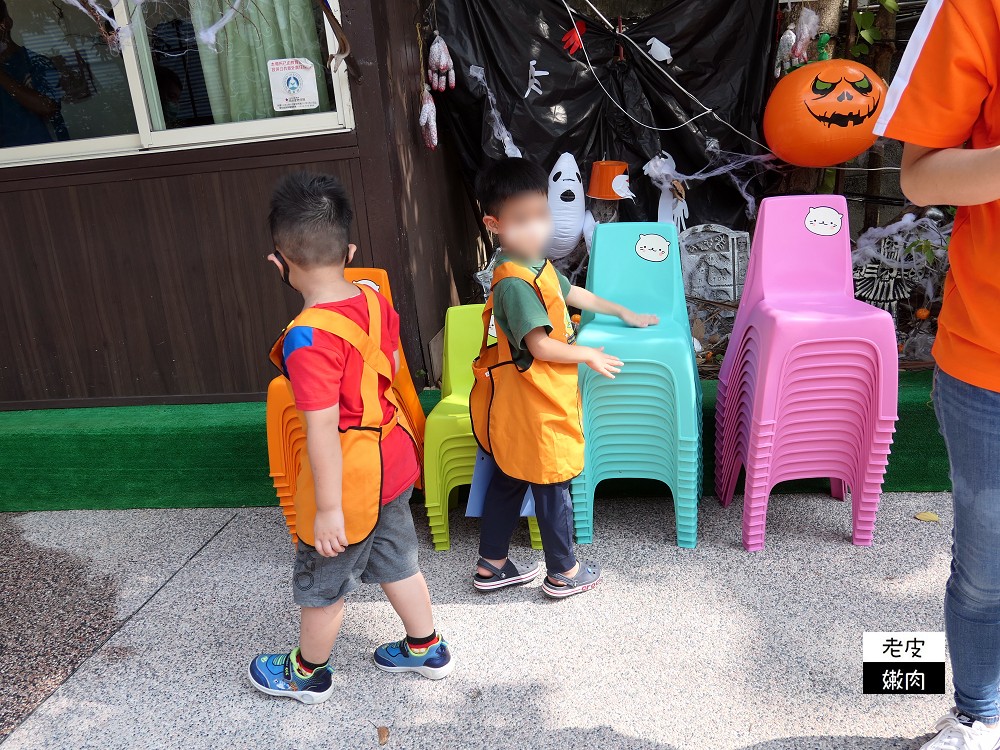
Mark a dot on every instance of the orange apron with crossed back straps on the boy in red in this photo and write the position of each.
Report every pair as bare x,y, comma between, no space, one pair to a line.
361,496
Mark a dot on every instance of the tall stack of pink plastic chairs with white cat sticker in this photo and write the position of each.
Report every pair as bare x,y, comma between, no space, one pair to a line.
809,382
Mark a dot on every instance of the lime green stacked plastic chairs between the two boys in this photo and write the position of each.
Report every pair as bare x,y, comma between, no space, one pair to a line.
449,444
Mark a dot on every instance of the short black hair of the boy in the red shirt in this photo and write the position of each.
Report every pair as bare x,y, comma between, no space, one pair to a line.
310,217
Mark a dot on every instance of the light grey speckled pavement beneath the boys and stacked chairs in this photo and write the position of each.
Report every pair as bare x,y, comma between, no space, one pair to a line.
706,649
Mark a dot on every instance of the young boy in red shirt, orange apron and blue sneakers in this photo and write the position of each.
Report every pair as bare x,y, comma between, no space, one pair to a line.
340,355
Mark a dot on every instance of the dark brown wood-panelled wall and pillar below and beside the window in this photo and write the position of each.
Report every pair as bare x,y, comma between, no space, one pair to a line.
142,278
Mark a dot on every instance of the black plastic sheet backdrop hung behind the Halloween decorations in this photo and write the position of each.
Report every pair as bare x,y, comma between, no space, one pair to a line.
721,53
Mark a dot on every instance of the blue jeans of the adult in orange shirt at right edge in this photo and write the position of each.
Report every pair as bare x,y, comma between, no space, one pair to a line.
970,422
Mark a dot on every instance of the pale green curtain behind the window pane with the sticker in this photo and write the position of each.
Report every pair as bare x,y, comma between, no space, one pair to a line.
236,67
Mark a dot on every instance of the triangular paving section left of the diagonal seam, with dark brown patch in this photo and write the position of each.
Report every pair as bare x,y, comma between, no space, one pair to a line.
69,580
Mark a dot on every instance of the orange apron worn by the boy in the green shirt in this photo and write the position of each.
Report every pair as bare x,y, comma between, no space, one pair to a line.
529,420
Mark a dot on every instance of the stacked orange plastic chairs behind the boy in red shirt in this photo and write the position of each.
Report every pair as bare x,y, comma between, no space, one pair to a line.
286,435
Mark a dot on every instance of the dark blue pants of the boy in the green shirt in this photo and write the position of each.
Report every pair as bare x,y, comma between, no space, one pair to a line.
502,512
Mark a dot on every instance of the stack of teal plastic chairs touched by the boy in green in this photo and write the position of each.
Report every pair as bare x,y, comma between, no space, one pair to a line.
646,423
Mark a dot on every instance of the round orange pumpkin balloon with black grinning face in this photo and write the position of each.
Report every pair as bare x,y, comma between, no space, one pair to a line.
824,113
